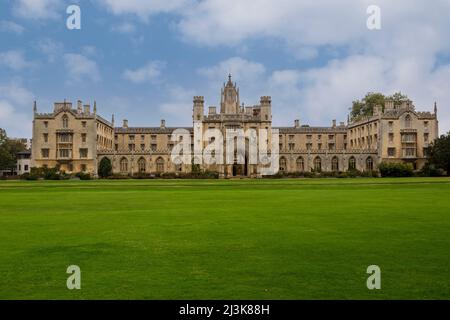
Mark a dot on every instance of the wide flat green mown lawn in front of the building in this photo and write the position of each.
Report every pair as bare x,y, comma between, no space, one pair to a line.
240,239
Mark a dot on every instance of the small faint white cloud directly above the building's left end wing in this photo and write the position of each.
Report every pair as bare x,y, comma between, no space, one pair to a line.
81,68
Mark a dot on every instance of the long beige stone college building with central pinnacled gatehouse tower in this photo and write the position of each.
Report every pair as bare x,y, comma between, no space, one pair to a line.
77,139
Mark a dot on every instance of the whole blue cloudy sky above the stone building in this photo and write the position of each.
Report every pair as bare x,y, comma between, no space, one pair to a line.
144,60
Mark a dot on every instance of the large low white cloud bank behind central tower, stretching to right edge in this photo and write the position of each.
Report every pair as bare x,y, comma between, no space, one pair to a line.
318,95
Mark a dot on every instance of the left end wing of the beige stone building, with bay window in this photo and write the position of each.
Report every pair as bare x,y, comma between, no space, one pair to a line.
70,137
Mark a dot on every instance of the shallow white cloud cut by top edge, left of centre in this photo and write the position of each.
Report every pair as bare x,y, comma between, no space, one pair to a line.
144,8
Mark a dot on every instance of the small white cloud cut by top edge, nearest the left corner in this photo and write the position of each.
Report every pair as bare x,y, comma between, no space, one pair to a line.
37,9
